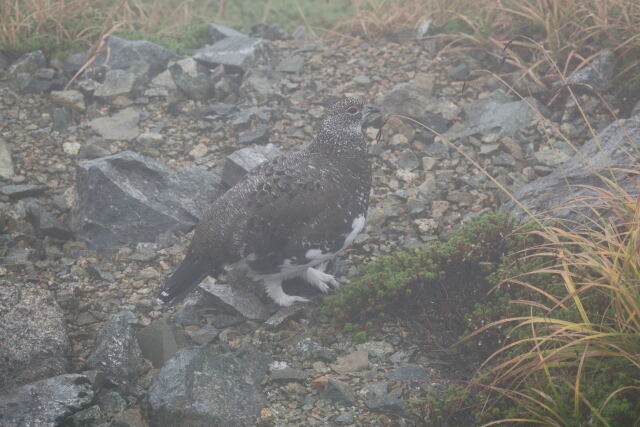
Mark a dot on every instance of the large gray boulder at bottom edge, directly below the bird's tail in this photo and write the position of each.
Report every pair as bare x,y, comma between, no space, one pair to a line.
205,386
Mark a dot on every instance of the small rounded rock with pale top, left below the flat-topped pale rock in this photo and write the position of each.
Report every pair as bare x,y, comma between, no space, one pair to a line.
193,79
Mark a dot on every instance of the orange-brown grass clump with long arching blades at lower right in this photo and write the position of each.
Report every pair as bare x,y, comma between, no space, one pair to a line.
596,316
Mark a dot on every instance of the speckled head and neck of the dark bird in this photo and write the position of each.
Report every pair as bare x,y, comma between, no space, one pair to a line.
341,125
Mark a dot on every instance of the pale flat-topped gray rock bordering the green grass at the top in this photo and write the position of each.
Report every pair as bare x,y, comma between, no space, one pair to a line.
238,53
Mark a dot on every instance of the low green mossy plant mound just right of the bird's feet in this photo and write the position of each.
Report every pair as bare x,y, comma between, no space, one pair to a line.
407,279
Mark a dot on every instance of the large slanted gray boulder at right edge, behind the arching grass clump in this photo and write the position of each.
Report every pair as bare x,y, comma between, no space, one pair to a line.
610,148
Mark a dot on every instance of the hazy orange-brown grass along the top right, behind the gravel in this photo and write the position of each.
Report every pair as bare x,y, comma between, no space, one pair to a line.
571,32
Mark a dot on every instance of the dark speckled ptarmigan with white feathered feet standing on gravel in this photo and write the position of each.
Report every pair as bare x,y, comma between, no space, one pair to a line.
289,215
